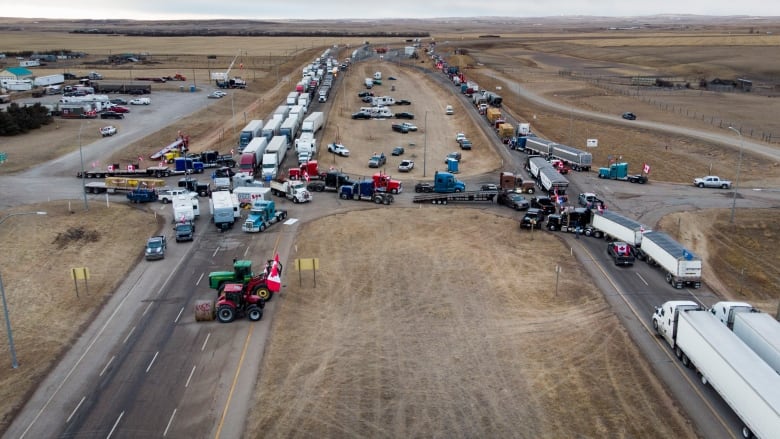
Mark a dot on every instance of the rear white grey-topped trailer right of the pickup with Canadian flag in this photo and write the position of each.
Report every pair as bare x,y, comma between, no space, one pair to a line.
681,265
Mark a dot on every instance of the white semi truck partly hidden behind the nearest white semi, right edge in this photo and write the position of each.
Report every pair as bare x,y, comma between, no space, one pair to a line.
760,331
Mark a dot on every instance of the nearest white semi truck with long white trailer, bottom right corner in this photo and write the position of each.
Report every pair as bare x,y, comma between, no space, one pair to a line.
744,381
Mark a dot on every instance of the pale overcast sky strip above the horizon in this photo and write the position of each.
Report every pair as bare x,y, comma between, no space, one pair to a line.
357,9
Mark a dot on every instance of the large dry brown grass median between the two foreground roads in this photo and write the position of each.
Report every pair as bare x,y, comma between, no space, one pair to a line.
431,336
